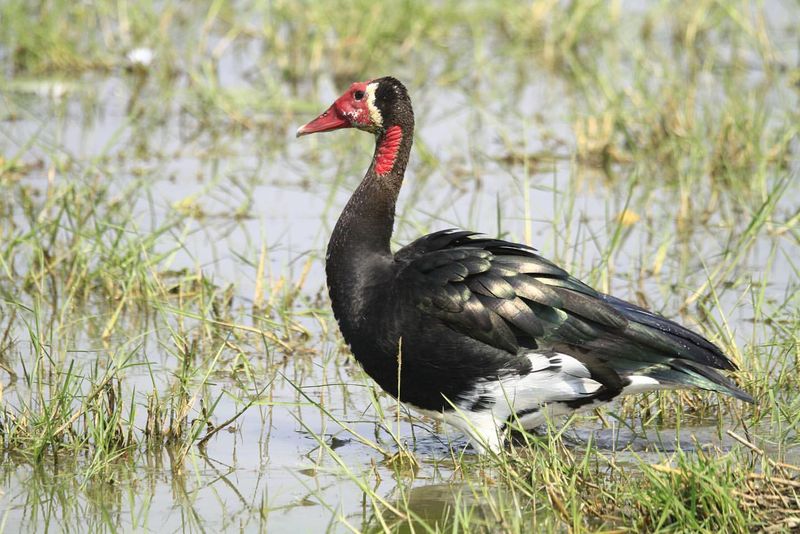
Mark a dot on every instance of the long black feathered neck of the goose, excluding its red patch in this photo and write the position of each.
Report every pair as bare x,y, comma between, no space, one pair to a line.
359,257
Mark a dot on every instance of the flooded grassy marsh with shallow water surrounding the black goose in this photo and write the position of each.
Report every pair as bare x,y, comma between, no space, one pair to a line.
165,335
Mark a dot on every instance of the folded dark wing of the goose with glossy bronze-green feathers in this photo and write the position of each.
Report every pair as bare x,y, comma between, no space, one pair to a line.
507,296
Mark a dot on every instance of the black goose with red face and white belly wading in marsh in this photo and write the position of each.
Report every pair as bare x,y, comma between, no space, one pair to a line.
481,333
